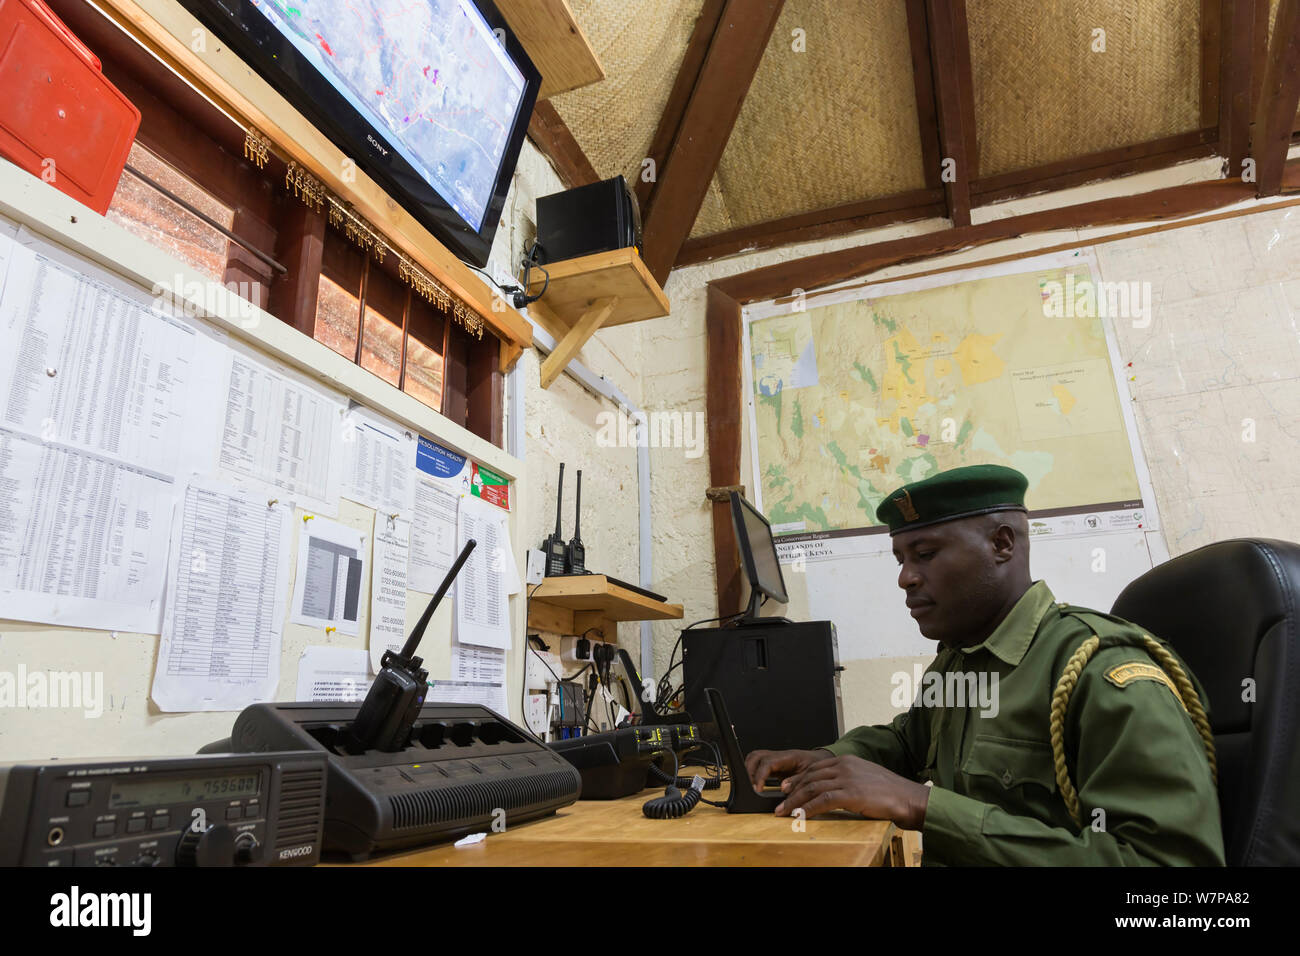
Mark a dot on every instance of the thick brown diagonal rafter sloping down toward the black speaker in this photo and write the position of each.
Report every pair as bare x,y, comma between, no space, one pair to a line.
734,55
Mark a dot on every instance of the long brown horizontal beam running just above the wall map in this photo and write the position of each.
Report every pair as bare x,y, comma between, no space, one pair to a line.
829,269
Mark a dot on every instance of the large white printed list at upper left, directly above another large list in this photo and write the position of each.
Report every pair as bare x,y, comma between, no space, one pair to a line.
89,362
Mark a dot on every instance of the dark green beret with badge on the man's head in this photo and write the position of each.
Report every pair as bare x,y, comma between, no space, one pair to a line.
976,490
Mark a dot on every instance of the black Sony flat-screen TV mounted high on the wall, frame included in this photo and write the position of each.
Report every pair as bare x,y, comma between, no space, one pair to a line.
431,98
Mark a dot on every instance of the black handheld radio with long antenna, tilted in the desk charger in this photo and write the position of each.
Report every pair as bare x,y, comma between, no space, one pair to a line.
396,698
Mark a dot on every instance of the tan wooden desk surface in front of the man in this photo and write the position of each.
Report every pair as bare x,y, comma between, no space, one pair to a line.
616,833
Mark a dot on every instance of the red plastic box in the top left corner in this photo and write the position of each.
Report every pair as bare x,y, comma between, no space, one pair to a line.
59,118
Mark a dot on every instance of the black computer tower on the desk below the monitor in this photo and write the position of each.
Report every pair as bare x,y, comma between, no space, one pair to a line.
781,682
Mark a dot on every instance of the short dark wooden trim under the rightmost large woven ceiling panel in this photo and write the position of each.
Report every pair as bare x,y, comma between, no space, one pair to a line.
1107,165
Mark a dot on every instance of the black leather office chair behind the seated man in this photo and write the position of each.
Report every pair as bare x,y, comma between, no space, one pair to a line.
1233,612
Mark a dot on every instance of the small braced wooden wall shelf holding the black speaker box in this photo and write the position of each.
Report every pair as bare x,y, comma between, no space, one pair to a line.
591,293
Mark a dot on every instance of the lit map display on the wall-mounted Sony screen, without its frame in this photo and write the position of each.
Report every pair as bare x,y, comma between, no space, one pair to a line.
428,73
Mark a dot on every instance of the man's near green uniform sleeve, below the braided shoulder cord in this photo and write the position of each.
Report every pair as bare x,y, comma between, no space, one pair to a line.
1146,794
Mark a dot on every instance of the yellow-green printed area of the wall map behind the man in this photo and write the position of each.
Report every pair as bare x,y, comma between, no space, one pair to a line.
856,399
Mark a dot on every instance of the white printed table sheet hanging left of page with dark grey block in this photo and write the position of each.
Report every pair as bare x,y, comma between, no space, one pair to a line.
227,582
